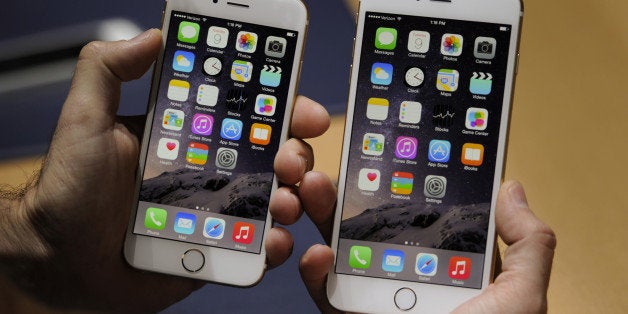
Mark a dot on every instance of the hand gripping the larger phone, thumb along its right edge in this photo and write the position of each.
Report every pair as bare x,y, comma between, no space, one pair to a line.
522,284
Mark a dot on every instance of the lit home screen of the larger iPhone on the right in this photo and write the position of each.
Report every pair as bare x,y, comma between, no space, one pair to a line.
423,149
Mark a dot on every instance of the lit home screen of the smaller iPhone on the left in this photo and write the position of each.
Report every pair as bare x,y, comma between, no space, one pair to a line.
217,125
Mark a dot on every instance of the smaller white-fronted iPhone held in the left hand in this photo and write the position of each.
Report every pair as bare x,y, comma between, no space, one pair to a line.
220,105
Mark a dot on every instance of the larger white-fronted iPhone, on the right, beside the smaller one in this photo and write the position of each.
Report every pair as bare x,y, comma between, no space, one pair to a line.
423,154
